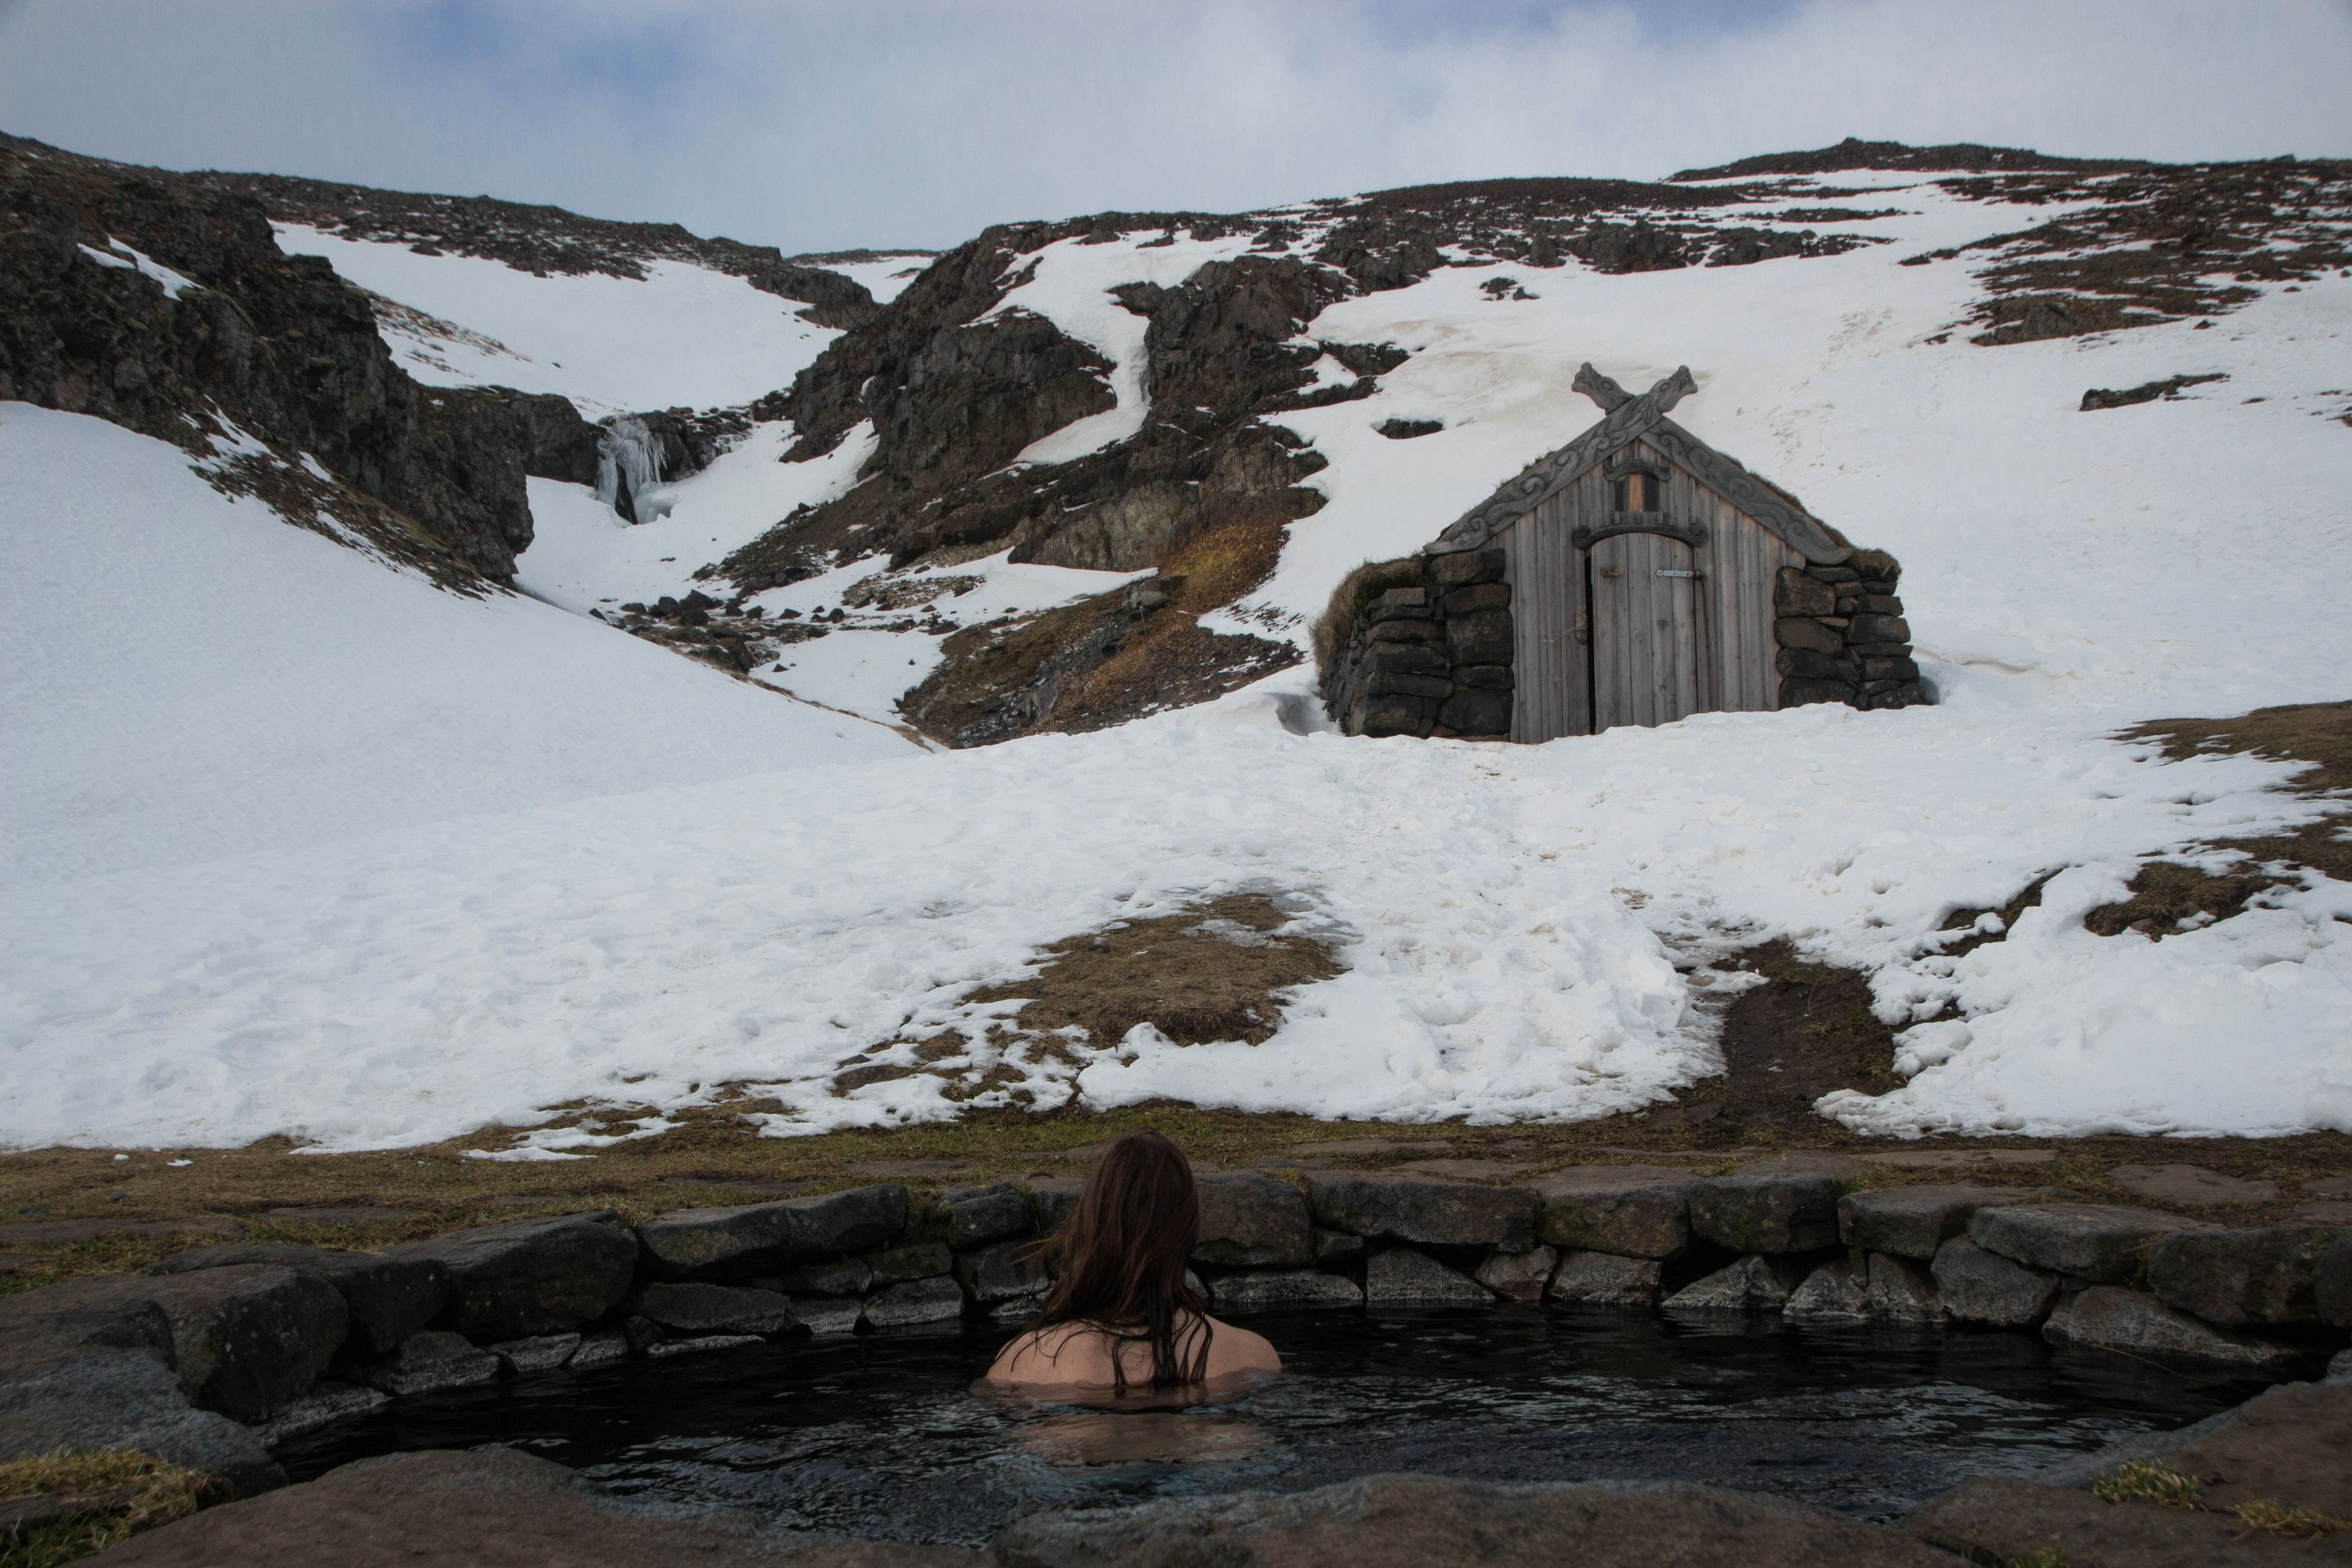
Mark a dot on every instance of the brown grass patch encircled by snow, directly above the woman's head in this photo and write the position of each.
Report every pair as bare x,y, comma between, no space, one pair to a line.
1212,972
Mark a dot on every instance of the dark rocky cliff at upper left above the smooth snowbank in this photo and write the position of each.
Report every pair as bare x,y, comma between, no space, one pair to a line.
276,344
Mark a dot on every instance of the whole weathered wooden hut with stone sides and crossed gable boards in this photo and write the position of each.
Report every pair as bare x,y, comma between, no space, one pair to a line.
1633,577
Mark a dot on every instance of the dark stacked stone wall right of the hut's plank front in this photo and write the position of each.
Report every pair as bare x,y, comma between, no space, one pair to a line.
1843,636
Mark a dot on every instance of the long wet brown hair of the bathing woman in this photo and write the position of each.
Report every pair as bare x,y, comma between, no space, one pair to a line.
1121,1261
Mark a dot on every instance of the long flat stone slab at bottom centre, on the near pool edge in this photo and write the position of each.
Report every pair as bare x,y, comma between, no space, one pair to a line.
1438,1522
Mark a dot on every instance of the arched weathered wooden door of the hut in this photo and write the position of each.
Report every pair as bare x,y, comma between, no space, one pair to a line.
1650,638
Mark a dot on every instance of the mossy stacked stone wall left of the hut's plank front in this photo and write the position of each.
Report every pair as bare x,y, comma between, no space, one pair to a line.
1429,657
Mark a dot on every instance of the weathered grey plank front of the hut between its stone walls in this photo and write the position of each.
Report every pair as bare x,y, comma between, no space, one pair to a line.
1601,638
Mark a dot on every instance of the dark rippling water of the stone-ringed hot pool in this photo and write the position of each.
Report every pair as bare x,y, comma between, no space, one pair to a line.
883,1438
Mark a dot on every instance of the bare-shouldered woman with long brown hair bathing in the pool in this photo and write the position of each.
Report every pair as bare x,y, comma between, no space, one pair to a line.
1123,1315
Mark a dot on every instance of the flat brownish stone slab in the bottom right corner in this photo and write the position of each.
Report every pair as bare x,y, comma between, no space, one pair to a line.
2010,1522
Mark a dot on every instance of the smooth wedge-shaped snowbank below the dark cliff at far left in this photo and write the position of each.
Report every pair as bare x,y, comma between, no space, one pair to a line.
265,688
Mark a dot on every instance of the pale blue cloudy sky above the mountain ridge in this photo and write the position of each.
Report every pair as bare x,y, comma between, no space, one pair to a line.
820,126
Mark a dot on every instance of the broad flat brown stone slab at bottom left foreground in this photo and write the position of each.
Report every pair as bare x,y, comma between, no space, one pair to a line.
483,1510
